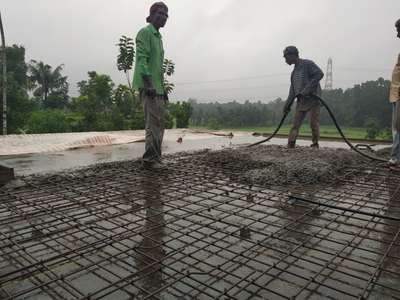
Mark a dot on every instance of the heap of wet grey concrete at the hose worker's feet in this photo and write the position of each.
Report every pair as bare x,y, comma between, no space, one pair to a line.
277,165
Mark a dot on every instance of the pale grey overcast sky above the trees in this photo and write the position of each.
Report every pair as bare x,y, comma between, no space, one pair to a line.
223,49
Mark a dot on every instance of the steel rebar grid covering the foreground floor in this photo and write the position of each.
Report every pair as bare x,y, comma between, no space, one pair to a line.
198,231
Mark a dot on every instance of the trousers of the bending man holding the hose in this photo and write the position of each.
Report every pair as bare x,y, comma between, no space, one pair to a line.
300,115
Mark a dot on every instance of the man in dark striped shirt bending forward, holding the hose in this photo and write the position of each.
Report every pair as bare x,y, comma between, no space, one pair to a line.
305,79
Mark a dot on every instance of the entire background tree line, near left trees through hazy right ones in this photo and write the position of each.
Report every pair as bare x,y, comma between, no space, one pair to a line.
38,102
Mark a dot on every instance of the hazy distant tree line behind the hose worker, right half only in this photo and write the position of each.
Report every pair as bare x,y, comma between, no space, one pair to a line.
365,105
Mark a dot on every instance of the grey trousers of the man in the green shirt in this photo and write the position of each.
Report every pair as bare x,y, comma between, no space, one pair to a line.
154,110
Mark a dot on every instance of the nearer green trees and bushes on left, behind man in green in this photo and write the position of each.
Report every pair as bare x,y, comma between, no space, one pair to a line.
38,99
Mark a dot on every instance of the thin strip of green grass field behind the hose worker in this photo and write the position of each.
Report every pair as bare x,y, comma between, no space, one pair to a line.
326,131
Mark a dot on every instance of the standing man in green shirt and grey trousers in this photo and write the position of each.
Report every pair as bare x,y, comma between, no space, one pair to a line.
148,79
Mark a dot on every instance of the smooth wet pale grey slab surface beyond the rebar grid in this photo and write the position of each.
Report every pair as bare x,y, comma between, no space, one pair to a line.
58,161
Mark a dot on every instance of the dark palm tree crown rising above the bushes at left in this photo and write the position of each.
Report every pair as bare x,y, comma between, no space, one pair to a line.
44,79
